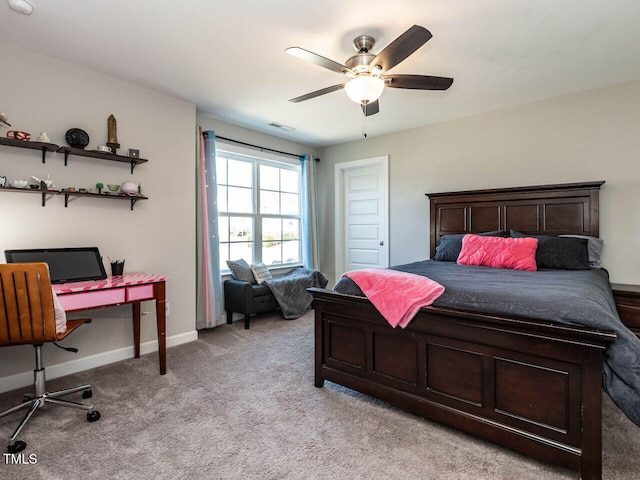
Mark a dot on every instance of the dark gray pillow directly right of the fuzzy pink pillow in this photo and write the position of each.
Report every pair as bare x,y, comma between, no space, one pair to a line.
560,253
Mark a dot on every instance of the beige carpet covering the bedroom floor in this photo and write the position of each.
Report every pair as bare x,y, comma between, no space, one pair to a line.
240,404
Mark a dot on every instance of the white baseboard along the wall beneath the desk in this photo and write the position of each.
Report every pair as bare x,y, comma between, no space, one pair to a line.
25,379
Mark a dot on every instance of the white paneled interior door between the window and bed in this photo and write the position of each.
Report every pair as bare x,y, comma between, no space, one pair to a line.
362,210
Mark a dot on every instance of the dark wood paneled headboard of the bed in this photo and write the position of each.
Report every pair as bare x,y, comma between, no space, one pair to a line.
570,208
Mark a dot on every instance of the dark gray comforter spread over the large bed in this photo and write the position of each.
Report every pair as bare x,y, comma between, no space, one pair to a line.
576,297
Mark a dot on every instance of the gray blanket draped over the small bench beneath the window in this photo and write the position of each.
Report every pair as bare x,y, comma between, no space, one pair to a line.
290,290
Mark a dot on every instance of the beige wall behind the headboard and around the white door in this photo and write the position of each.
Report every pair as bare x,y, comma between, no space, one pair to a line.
588,136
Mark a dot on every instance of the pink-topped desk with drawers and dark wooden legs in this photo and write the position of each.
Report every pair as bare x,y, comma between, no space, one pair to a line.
130,288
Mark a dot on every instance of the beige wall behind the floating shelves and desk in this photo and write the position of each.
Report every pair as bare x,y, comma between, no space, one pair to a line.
42,93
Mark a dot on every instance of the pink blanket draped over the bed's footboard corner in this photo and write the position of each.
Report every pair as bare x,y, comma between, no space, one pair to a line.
397,295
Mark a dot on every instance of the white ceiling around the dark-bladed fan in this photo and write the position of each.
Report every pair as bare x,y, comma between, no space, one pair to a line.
228,57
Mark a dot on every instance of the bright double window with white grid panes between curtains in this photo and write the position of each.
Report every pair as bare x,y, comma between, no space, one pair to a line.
258,210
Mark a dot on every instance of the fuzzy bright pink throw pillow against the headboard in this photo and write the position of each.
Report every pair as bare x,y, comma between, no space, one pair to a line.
499,252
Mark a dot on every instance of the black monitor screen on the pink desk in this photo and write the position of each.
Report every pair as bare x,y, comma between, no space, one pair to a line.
65,264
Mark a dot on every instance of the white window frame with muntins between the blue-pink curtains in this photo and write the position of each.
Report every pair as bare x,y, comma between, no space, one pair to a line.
256,216
